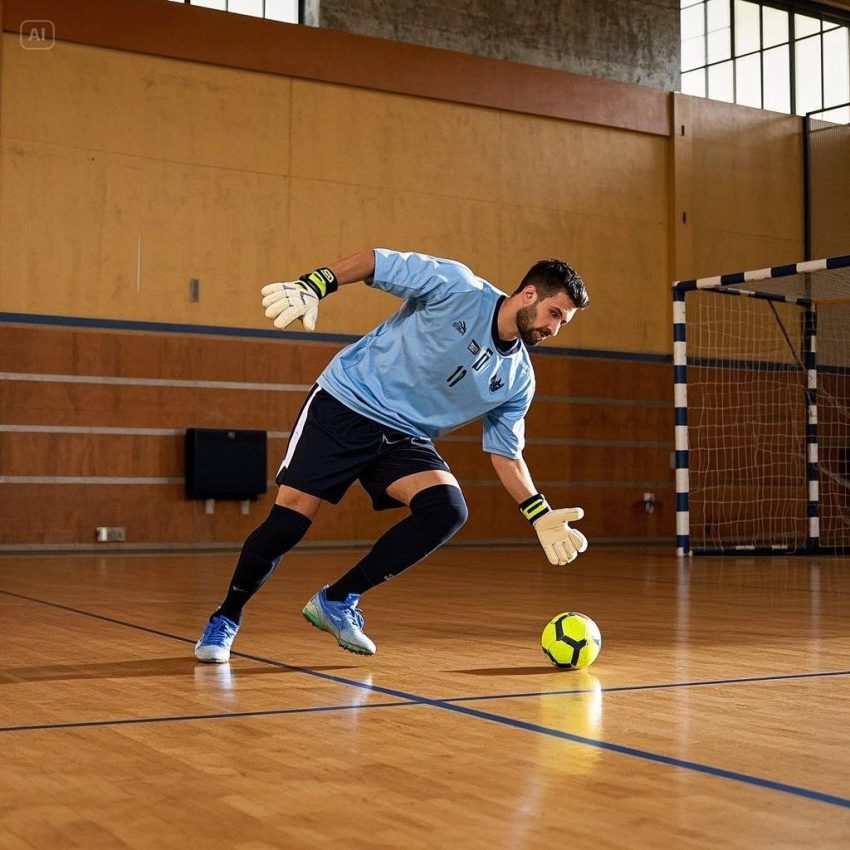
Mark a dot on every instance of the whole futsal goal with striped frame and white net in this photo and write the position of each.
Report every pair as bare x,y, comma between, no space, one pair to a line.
762,405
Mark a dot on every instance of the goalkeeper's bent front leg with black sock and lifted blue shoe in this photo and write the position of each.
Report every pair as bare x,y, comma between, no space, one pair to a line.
437,511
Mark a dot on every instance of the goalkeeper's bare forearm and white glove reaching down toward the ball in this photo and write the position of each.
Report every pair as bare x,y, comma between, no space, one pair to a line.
561,543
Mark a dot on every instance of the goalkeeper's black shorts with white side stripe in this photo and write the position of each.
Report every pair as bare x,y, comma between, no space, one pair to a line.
331,447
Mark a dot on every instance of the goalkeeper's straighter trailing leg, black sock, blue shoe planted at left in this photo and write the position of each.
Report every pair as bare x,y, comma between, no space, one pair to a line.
282,529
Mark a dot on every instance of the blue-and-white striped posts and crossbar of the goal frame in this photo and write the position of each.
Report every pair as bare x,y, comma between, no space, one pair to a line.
728,284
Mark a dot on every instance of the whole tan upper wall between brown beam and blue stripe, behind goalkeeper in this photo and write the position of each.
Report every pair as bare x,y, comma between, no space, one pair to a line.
111,219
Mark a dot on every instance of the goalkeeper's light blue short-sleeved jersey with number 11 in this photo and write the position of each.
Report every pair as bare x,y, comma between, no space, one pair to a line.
437,363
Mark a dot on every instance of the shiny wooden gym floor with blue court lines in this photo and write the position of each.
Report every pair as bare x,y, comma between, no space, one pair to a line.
716,715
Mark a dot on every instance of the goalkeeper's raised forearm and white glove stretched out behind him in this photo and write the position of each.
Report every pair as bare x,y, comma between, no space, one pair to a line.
289,300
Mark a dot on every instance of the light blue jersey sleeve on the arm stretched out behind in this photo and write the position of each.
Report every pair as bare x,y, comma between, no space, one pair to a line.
420,276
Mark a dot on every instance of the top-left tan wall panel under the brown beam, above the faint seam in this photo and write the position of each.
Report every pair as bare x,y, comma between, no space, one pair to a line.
212,111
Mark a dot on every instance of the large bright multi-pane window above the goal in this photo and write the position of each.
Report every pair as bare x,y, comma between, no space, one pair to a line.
785,55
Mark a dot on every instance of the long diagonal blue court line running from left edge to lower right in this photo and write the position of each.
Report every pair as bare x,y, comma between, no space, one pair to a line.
646,755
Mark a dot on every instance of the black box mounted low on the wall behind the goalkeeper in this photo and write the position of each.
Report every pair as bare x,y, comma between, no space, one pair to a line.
225,464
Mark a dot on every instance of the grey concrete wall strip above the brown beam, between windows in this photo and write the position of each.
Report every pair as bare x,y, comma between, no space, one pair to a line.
633,41
